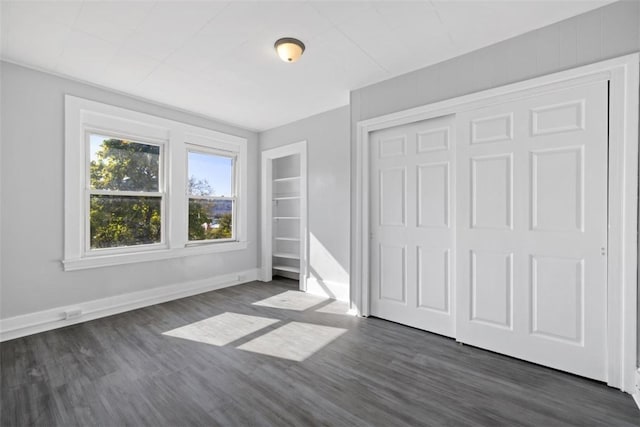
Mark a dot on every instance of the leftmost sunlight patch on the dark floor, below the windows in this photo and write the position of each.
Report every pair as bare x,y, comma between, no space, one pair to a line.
222,329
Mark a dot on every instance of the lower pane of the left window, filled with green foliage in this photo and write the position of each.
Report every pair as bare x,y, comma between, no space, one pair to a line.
124,221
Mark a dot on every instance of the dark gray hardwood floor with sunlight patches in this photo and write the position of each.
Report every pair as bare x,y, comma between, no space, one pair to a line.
264,354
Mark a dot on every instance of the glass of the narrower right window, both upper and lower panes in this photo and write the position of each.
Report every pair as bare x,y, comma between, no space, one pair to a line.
211,196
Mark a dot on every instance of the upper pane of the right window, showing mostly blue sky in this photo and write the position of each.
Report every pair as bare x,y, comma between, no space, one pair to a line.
210,175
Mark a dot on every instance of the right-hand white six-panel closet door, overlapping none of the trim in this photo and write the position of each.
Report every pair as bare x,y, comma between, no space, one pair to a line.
532,228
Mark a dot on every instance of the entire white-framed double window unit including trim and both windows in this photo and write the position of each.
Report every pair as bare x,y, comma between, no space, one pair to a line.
125,180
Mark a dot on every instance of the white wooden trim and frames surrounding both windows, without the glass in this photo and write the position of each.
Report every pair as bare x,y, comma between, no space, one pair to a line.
83,115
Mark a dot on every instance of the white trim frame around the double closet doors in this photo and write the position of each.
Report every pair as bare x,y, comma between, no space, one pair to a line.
623,76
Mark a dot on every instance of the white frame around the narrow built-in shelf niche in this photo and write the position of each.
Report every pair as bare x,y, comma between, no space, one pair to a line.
268,156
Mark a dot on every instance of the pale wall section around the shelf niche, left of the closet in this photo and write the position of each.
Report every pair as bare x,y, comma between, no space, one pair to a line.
327,137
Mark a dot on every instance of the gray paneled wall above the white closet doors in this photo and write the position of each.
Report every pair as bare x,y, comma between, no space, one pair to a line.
604,33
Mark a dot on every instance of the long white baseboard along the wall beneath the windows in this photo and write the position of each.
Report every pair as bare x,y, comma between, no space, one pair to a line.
40,321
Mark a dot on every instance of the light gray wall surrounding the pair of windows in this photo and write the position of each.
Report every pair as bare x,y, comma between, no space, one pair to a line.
32,214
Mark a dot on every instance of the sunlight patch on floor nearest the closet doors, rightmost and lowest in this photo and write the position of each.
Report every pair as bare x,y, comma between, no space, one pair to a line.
293,341
